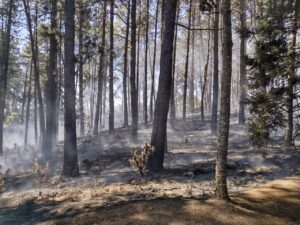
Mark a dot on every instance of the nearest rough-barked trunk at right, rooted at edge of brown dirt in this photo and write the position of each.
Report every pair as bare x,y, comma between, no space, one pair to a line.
221,163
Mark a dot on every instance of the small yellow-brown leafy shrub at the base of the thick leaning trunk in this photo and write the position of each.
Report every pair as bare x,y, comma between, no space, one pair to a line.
141,156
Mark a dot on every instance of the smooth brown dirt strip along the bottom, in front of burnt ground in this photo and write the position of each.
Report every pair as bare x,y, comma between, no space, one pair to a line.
277,203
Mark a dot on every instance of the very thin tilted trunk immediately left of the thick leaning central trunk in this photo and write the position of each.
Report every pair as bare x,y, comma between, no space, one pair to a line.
154,63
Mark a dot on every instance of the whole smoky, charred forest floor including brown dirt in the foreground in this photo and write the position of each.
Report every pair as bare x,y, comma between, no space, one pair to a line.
264,183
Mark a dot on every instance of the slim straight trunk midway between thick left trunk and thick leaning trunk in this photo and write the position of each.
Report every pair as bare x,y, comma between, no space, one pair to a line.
111,70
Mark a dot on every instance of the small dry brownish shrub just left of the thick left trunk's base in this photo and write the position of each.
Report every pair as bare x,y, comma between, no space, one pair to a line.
40,173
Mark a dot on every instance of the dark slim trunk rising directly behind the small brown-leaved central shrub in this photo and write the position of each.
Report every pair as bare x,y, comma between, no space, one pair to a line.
134,97
